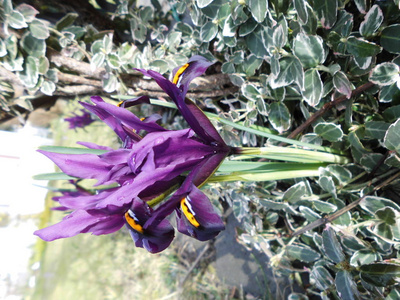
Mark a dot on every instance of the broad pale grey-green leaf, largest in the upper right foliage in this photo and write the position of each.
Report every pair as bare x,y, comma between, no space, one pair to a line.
309,49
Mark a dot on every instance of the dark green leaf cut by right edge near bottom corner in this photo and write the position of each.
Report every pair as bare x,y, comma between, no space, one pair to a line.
380,274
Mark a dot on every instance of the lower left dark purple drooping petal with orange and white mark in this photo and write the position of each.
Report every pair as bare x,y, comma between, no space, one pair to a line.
153,238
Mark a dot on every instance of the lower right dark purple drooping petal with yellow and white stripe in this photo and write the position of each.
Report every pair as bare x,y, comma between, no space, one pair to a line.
197,218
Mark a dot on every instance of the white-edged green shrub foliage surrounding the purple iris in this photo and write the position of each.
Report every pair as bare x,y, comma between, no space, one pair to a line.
285,61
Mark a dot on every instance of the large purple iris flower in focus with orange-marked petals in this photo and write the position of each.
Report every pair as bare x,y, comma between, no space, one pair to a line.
153,175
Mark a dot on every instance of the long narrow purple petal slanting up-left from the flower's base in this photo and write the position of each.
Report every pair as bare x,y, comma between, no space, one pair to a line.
193,115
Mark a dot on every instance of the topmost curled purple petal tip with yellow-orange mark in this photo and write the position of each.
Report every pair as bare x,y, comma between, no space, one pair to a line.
196,66
